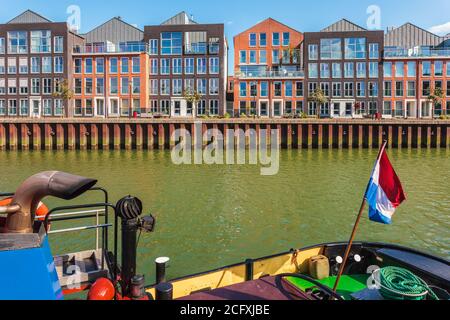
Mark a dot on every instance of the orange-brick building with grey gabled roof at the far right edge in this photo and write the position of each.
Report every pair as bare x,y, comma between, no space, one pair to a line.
415,63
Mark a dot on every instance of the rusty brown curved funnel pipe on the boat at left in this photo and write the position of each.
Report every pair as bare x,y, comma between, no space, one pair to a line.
23,206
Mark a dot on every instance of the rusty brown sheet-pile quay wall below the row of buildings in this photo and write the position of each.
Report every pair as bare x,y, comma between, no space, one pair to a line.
147,134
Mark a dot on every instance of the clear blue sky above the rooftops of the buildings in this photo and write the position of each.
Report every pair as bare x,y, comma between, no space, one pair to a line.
238,15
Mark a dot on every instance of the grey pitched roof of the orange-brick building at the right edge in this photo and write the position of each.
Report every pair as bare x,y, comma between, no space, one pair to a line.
409,36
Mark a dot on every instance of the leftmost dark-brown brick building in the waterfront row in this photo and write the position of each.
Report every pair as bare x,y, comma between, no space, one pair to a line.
35,59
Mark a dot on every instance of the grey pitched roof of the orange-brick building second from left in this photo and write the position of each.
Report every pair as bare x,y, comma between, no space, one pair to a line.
115,30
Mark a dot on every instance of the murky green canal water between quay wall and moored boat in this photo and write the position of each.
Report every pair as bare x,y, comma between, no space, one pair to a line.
210,216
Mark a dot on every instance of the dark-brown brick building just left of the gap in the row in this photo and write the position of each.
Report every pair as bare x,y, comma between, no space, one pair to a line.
187,58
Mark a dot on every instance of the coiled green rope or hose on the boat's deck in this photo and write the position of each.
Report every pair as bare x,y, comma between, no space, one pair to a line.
401,284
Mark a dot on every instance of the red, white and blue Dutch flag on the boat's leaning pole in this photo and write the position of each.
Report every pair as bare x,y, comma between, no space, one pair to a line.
384,192
